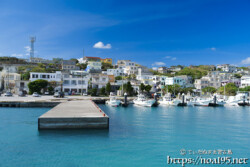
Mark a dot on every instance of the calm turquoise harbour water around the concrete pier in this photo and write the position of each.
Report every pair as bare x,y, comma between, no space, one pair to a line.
138,136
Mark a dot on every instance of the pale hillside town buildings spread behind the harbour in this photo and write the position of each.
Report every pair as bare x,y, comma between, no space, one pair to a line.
69,78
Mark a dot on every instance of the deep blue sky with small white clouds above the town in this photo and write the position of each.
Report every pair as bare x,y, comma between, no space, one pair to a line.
152,33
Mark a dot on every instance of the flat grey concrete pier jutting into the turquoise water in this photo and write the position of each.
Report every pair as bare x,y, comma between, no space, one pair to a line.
74,115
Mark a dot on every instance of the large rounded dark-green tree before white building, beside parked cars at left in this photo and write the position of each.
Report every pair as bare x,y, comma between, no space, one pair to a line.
37,86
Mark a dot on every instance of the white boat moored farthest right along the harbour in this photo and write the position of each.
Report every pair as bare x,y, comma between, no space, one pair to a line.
241,97
